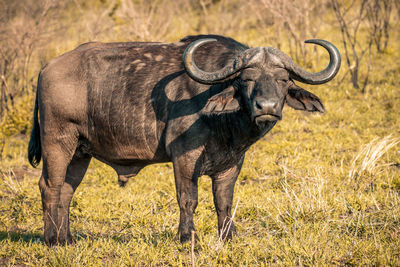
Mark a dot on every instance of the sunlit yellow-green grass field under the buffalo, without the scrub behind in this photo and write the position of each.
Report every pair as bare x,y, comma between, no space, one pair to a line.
317,190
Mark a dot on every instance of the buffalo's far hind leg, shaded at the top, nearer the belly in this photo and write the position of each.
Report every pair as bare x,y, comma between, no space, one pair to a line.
75,172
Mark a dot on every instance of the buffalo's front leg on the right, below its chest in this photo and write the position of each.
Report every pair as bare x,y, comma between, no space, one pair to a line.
223,185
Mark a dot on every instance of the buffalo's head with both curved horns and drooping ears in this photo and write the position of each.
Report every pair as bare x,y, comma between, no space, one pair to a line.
264,80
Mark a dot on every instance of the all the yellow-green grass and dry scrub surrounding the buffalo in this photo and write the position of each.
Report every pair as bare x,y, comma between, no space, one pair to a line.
319,189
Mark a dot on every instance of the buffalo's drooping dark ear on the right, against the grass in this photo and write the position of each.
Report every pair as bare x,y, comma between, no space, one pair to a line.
301,99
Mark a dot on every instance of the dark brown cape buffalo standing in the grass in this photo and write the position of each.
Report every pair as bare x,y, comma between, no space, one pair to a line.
199,103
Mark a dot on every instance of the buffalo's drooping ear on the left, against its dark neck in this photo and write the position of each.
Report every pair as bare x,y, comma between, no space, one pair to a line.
223,102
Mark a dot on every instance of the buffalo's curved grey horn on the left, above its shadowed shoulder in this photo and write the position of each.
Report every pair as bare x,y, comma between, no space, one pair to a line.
211,77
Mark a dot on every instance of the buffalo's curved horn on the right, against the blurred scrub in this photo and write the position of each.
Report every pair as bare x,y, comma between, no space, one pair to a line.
301,75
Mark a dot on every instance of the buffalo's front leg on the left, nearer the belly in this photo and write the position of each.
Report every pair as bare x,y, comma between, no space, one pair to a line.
186,177
